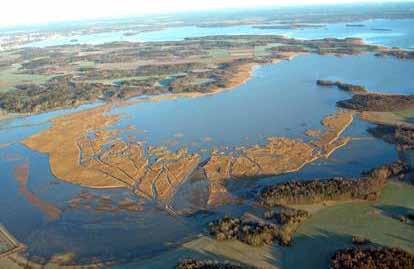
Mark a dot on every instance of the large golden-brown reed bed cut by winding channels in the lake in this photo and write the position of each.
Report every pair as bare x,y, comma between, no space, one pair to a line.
77,155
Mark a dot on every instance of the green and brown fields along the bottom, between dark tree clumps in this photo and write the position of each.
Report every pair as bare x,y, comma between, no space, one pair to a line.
328,230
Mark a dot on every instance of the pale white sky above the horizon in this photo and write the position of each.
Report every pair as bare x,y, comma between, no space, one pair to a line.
17,12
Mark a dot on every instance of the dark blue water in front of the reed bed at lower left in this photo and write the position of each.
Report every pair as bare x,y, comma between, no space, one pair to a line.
87,233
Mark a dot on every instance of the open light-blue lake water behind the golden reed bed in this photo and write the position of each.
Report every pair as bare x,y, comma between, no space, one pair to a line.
280,100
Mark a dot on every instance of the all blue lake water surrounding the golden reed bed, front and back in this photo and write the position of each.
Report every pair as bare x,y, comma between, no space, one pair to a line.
279,100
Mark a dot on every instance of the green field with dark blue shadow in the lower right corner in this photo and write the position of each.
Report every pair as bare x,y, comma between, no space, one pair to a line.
332,228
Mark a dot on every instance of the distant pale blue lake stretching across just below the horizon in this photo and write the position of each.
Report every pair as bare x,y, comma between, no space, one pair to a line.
399,33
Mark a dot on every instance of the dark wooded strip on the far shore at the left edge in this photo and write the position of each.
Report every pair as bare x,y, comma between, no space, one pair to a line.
63,92
